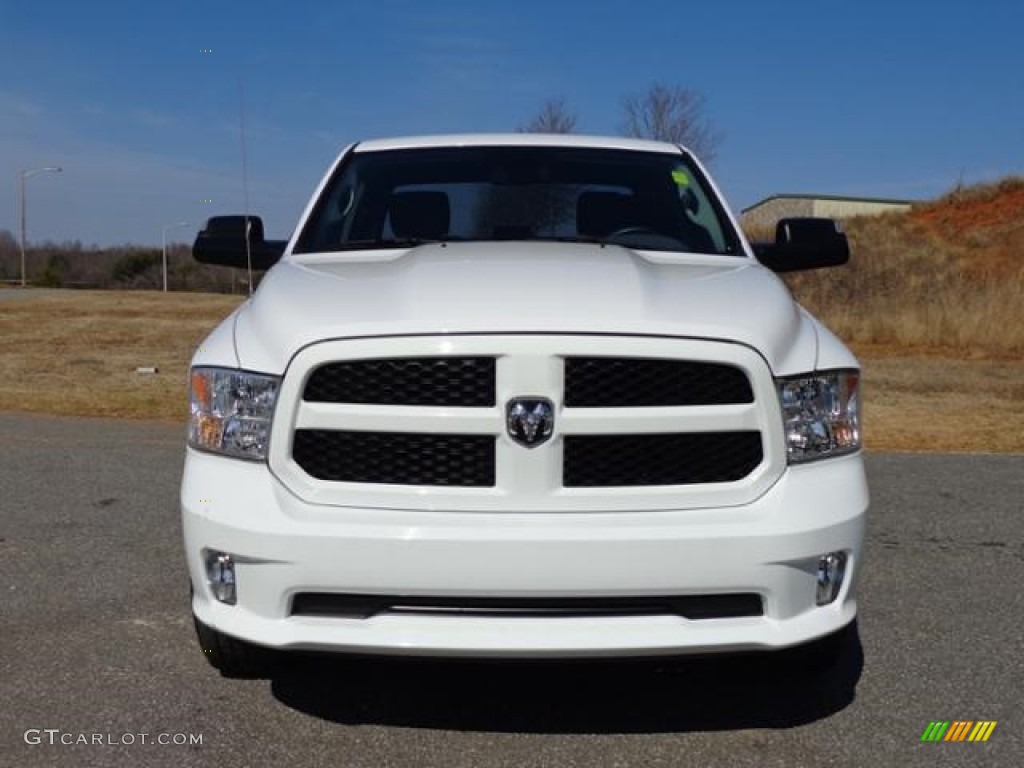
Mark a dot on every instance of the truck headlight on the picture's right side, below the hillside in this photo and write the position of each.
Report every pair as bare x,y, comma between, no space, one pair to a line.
821,415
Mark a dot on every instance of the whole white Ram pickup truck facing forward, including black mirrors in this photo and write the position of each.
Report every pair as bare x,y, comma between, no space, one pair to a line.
522,397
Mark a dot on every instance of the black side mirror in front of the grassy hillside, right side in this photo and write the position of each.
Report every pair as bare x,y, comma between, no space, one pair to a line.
804,244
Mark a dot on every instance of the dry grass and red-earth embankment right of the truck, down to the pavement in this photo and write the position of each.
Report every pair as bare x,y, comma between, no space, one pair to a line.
933,305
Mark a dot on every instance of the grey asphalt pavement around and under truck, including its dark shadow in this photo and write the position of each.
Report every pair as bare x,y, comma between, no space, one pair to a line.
97,648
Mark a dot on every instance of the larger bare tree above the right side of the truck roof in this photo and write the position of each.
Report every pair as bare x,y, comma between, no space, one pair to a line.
672,114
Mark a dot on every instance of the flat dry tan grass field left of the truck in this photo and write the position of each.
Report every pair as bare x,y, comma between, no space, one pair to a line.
76,353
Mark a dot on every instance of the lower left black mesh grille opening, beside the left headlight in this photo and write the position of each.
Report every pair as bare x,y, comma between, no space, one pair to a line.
397,458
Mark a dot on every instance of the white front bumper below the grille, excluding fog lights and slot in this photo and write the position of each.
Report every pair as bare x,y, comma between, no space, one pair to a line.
283,546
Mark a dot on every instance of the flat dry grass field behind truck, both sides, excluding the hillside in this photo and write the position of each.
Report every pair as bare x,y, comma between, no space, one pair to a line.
77,354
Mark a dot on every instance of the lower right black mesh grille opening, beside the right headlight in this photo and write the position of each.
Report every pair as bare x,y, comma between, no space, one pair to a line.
604,461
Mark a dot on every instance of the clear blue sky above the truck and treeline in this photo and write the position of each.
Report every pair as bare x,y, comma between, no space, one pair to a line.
869,99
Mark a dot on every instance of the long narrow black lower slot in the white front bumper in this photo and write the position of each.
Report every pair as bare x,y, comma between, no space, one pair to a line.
692,607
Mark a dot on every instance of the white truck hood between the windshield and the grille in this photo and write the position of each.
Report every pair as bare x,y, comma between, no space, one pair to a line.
514,288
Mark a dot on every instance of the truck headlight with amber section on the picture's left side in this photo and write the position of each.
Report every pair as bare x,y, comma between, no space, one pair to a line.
232,412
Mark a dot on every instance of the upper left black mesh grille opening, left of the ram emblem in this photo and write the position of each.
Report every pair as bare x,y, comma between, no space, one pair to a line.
467,382
